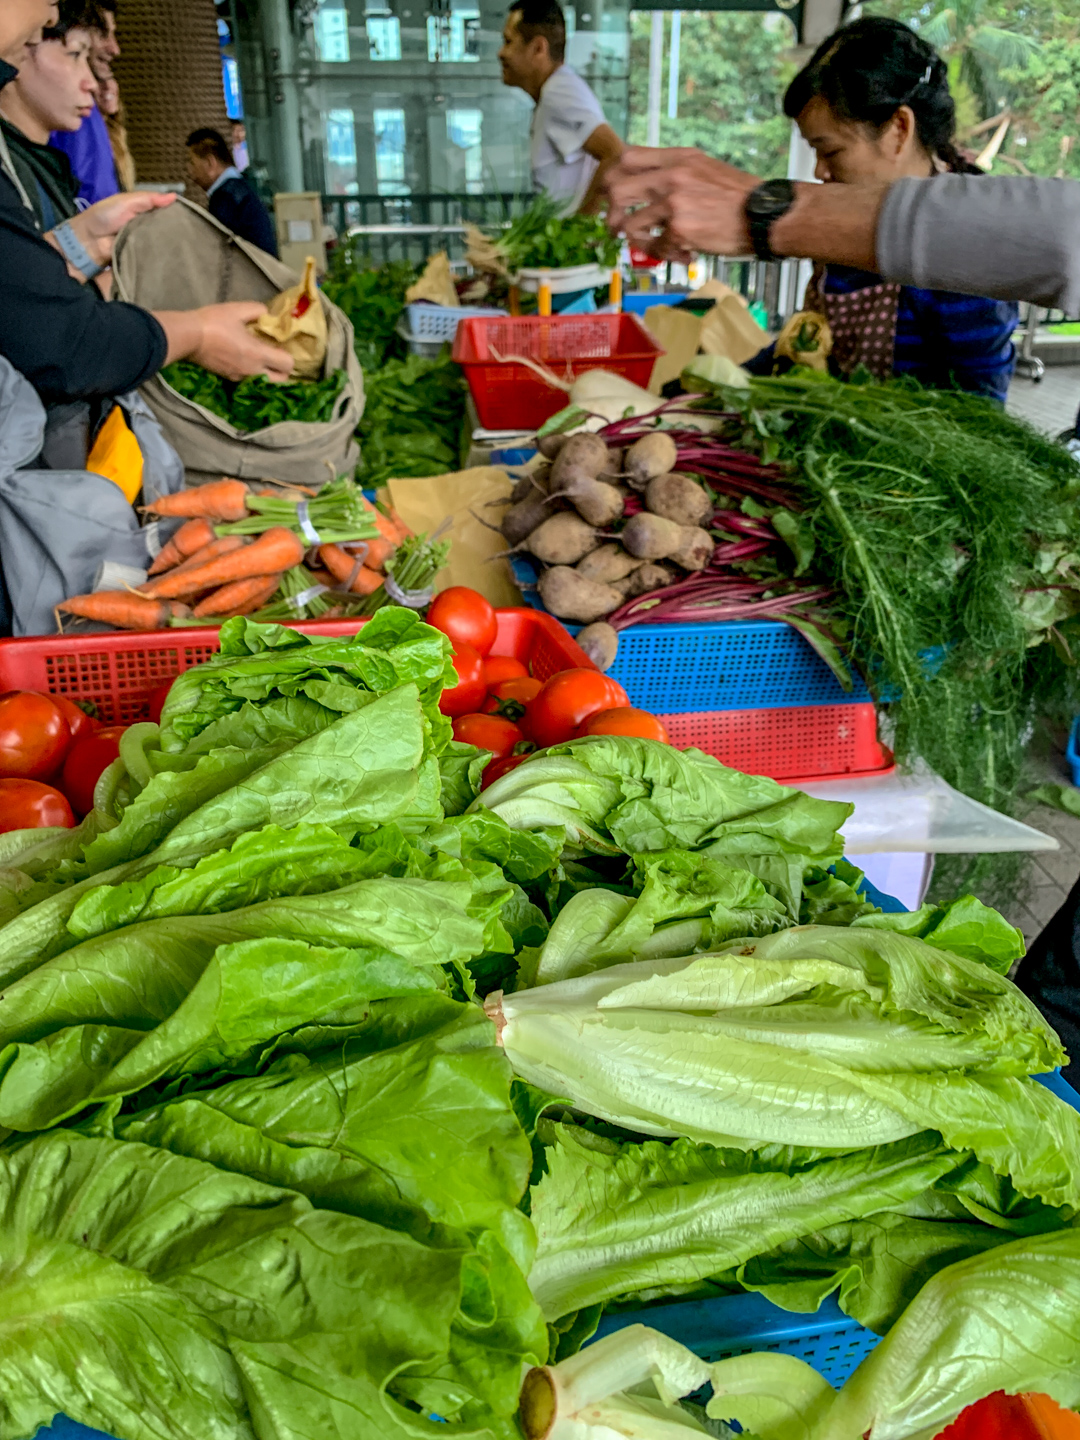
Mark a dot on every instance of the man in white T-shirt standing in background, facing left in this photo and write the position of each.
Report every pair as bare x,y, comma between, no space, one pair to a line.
571,146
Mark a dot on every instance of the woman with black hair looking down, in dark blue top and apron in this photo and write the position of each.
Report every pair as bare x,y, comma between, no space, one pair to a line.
875,106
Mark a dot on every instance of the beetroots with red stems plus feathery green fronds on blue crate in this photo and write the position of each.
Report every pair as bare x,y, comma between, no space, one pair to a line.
924,538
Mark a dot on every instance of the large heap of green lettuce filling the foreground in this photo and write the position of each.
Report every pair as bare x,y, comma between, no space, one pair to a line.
264,1140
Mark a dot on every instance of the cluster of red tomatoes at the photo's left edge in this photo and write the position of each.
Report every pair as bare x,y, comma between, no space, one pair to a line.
53,755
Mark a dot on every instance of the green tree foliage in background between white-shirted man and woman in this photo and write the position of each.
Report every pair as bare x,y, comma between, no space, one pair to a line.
732,77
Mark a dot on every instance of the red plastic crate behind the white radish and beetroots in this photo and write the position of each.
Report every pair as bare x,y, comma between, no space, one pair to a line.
510,397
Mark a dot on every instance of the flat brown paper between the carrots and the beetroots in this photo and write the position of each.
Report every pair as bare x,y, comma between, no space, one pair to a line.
424,505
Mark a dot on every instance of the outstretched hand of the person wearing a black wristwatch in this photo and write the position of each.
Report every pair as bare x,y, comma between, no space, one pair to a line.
695,202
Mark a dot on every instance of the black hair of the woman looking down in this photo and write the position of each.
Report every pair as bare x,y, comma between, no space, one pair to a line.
870,68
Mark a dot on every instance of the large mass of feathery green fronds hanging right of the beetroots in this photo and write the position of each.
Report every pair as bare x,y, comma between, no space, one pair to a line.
951,535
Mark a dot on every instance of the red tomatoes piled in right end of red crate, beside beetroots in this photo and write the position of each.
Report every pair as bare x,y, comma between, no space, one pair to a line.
500,708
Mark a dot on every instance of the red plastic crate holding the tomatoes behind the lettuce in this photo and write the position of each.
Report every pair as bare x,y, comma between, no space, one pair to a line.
122,672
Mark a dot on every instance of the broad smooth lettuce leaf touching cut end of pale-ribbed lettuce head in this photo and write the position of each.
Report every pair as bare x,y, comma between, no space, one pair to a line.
413,1107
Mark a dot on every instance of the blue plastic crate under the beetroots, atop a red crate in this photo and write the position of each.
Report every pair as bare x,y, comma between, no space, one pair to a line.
719,666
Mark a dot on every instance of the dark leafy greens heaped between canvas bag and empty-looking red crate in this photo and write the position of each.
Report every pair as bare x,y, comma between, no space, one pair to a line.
413,420
